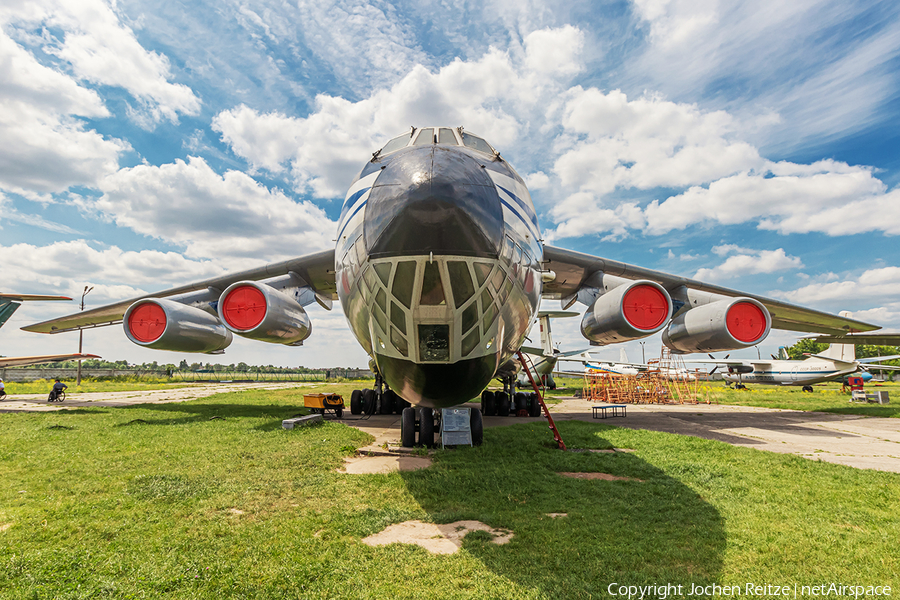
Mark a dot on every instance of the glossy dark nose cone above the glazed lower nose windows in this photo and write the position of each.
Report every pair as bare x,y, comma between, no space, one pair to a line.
433,199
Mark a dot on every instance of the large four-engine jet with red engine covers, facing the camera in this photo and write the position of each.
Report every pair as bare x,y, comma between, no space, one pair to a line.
440,269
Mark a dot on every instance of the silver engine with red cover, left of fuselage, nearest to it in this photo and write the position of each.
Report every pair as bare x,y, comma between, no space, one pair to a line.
260,312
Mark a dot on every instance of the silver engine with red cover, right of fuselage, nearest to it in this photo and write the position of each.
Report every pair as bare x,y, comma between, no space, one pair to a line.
627,312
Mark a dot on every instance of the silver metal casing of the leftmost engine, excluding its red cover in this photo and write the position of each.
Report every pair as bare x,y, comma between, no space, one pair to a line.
187,329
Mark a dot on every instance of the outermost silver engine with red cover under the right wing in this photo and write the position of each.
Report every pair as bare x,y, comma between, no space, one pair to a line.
728,324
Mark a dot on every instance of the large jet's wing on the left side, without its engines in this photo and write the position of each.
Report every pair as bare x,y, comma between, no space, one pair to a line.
317,270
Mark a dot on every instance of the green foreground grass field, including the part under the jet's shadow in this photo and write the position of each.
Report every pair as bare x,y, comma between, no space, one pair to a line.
213,499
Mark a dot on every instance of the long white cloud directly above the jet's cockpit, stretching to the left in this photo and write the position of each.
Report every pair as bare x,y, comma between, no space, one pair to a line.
492,96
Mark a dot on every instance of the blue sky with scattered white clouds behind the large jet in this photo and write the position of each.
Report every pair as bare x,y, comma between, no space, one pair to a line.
148,144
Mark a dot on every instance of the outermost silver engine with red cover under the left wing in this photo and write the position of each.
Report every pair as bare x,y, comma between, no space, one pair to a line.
168,325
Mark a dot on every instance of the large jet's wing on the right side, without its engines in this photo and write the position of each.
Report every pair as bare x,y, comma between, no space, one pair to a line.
573,268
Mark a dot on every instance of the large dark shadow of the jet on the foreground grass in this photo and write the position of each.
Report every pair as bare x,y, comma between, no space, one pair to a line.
655,530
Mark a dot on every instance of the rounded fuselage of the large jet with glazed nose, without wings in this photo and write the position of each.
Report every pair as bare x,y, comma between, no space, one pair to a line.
438,266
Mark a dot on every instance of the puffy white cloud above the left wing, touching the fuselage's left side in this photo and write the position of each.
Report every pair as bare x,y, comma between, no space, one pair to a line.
212,215
